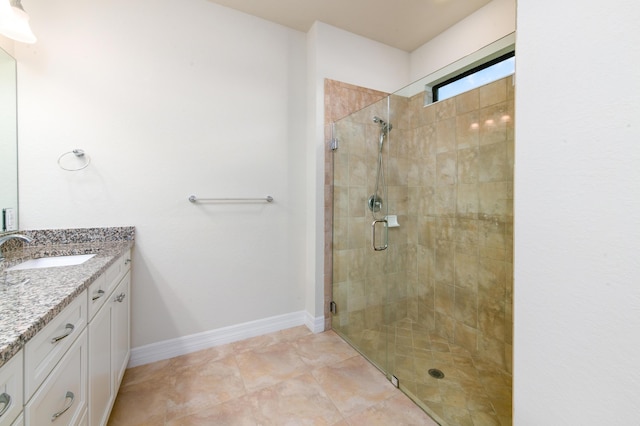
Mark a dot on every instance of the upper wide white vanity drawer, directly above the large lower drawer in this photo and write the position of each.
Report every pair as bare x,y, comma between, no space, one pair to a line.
47,347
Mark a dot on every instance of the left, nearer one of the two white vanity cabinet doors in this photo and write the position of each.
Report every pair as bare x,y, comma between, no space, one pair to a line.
101,390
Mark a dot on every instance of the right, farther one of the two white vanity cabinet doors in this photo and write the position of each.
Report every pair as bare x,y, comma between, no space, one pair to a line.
120,328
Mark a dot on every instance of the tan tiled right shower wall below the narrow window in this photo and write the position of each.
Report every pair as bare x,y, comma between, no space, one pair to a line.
461,189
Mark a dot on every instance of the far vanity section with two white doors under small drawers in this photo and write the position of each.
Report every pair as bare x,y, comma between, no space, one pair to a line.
109,346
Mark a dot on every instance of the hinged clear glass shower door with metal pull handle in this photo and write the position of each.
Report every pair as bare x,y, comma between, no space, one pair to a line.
360,205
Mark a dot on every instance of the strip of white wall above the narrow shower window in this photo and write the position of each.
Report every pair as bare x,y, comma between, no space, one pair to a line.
488,24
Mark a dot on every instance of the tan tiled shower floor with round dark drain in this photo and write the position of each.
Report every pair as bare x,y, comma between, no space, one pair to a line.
473,392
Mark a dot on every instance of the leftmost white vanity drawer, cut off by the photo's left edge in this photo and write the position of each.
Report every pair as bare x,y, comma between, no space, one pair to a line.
11,392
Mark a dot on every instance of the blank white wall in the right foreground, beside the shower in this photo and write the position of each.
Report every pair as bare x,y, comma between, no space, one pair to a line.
577,210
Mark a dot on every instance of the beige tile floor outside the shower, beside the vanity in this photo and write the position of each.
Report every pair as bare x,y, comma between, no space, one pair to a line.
291,377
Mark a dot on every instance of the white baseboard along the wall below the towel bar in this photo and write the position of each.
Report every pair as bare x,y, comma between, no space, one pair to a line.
221,336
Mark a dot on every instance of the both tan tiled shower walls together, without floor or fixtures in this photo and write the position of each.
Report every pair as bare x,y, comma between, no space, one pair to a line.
449,173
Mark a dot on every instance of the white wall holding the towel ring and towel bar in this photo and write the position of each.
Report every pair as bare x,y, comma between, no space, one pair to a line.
171,99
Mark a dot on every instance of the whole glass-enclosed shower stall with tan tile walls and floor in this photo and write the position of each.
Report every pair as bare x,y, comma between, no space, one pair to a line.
421,249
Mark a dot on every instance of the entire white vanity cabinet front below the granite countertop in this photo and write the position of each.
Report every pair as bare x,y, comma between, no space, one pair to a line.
68,374
